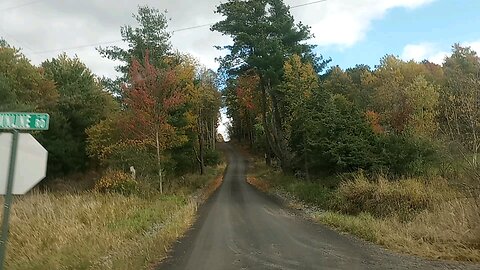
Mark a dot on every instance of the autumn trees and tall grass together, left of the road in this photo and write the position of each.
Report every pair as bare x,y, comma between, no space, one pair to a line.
130,158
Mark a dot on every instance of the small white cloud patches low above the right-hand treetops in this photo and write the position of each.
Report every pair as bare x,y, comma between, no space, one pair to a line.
432,52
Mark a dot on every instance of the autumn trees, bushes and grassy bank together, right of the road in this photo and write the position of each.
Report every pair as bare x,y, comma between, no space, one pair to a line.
389,153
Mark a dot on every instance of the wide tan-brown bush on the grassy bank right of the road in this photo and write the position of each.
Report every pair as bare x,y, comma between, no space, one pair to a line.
404,198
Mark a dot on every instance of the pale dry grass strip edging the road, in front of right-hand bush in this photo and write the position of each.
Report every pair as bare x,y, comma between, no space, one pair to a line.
450,231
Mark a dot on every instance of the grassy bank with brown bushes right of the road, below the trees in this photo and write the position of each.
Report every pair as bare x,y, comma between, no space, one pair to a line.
424,217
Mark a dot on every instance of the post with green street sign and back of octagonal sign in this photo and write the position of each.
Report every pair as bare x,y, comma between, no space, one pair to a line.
30,148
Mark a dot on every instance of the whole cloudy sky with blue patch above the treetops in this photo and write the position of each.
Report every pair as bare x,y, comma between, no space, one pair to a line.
347,31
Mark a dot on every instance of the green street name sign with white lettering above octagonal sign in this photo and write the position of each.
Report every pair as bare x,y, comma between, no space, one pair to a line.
24,121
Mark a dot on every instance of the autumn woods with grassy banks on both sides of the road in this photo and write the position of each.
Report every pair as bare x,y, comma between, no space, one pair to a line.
389,153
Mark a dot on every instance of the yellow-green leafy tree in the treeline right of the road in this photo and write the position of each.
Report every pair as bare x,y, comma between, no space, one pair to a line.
403,97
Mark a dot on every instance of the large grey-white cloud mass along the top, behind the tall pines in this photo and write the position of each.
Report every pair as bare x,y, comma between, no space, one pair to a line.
49,25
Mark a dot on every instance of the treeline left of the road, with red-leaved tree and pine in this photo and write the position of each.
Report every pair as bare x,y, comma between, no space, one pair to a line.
160,116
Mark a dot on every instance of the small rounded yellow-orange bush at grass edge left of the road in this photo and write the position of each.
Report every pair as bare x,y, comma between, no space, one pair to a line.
116,181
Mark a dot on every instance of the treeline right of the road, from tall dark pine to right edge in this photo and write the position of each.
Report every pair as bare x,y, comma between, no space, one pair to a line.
399,118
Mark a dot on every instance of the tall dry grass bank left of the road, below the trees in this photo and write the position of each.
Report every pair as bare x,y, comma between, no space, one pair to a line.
91,230
